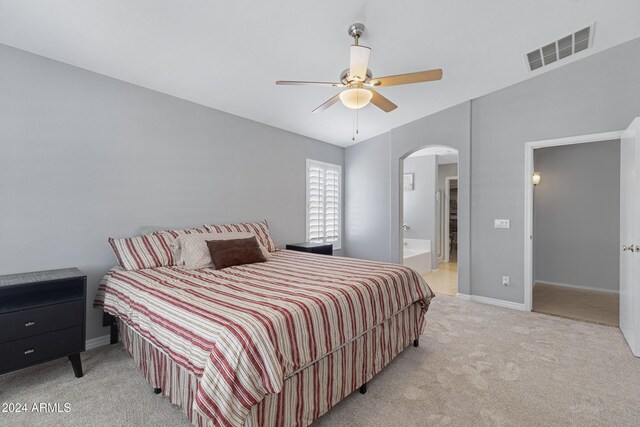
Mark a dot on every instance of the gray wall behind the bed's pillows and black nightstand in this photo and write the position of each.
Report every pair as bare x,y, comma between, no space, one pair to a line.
84,157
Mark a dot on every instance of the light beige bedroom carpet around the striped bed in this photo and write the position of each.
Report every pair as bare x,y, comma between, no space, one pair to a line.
477,365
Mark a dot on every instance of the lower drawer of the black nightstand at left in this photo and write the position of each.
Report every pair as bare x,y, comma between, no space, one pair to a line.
28,351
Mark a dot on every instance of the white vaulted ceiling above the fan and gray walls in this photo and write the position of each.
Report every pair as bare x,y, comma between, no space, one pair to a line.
228,54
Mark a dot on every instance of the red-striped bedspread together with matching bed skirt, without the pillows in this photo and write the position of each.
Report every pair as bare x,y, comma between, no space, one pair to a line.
266,344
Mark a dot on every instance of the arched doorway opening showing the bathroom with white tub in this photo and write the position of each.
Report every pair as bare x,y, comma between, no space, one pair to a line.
429,217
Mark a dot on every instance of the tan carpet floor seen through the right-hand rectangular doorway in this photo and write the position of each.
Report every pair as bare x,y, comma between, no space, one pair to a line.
579,304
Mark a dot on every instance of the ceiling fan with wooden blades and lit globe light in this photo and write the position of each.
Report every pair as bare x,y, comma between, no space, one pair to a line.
359,80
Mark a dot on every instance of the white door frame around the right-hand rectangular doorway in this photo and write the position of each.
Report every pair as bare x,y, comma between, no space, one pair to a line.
528,197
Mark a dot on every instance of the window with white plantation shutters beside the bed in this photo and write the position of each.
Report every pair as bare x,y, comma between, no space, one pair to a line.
324,202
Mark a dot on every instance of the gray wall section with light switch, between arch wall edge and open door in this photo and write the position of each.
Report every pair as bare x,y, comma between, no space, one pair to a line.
599,93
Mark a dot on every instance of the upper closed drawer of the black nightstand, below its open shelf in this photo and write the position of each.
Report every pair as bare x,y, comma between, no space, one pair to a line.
36,321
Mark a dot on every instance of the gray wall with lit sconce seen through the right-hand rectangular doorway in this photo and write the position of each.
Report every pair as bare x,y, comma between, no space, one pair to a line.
577,215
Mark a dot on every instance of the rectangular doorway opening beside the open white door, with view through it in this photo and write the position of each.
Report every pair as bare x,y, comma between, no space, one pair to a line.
576,224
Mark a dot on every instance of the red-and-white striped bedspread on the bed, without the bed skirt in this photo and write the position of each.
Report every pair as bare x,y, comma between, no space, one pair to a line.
244,329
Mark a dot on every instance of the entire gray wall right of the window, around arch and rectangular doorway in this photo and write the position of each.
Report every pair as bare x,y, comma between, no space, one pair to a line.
599,93
